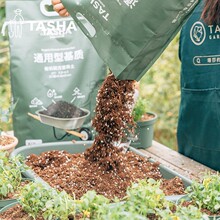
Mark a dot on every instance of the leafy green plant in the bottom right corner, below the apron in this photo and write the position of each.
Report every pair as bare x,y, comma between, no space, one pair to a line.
206,195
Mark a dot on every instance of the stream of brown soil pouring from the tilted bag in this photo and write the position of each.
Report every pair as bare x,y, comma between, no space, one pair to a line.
113,115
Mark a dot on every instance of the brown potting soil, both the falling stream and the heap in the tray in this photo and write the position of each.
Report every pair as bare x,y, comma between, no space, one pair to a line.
103,167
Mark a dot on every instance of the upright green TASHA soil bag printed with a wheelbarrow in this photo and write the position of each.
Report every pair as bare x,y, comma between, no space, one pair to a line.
50,60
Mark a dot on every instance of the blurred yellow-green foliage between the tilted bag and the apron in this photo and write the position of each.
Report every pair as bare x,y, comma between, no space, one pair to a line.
161,87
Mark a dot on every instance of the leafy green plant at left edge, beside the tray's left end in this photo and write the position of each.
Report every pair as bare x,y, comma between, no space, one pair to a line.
10,174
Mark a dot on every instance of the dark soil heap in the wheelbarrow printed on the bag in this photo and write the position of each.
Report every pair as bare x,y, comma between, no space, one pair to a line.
63,109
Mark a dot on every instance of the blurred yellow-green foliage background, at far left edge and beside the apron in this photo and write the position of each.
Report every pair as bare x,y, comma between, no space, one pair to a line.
160,86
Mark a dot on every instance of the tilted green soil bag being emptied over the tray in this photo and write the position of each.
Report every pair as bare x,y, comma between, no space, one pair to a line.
129,35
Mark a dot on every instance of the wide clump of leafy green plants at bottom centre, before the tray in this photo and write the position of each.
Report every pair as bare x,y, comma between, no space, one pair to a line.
144,200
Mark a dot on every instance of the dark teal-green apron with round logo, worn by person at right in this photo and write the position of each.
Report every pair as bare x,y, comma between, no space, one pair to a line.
198,131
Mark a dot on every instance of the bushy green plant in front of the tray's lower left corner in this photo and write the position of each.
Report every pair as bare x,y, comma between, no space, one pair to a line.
37,199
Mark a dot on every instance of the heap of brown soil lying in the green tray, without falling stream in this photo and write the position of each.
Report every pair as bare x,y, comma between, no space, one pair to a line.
76,175
